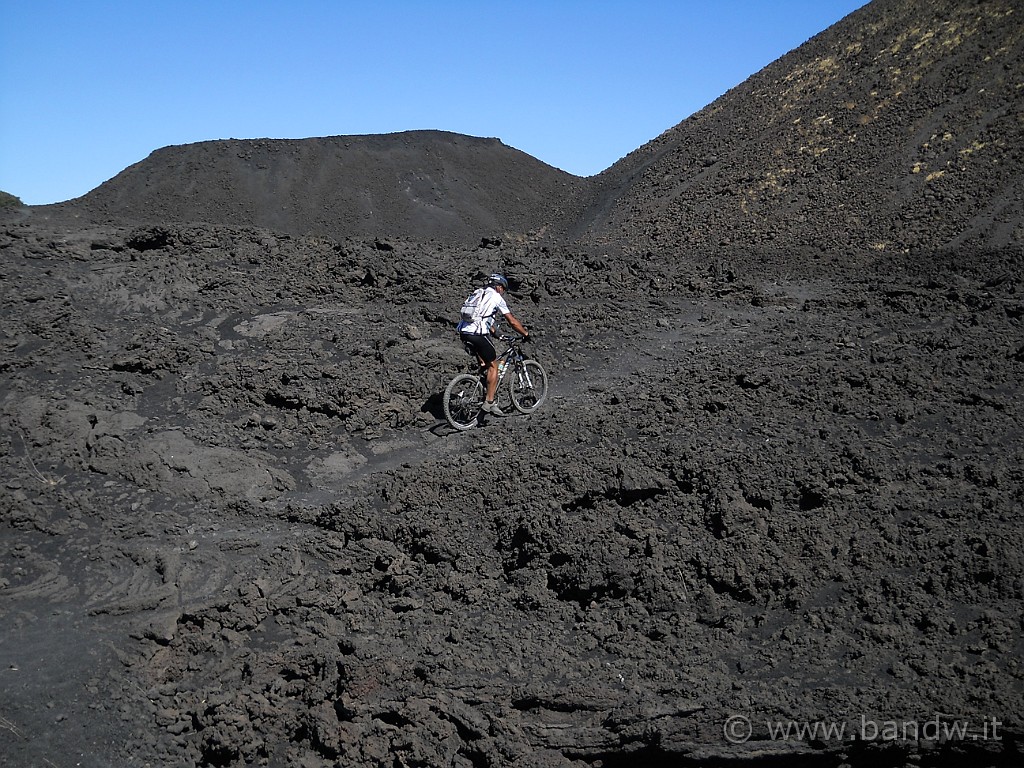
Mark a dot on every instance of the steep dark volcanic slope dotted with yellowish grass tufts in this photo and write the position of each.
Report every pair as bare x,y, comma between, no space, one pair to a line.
897,131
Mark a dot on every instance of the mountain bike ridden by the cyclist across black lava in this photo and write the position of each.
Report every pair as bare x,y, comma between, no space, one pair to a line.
523,385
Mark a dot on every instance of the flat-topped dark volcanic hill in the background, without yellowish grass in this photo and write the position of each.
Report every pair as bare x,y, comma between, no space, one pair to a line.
425,185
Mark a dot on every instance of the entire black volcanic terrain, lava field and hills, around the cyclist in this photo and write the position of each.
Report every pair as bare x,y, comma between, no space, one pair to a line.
770,516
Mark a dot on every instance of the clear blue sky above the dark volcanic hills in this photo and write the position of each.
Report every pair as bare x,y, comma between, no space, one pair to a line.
89,89
